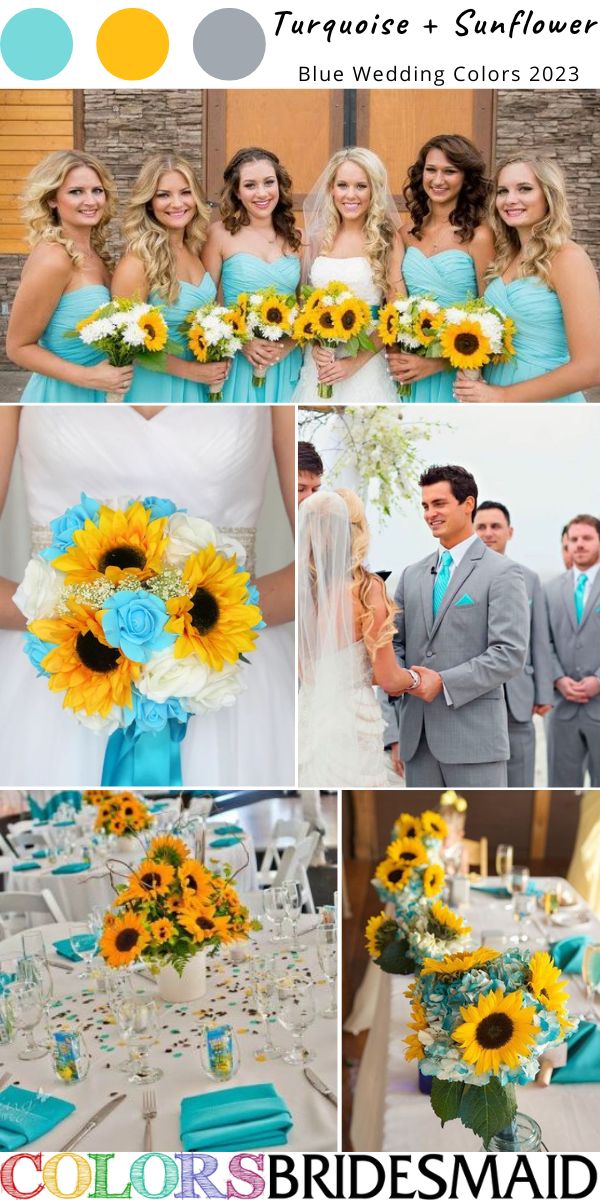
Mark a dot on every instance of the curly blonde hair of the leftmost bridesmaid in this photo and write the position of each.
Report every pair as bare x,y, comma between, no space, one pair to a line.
43,219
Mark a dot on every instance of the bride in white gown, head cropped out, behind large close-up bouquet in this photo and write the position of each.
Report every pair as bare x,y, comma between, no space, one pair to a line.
213,461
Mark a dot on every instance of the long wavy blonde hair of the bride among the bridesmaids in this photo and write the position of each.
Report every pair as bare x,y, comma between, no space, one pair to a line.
380,231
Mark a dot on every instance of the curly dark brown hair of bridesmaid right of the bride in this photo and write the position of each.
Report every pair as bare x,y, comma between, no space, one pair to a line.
471,206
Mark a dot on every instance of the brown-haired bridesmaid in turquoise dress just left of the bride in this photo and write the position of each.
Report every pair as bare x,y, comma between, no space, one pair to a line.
256,245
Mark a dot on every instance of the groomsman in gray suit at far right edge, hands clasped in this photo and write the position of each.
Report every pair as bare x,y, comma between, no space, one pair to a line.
574,614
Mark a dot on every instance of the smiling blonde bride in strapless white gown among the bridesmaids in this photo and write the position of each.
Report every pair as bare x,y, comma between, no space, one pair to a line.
352,235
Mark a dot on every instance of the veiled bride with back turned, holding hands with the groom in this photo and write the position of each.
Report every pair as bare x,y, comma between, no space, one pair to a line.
346,627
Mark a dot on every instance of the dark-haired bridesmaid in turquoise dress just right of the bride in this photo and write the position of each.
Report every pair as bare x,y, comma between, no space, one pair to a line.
447,248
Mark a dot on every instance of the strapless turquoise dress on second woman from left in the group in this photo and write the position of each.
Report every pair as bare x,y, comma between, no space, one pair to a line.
159,387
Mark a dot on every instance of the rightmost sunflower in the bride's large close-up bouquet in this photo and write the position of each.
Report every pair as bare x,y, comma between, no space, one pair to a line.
214,621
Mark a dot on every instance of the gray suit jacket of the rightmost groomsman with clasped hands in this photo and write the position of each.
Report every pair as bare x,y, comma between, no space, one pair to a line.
575,649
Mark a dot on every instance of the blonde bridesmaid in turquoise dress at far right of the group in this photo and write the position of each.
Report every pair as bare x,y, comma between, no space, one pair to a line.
547,285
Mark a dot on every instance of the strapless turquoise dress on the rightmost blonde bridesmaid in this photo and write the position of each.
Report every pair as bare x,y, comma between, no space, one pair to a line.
541,339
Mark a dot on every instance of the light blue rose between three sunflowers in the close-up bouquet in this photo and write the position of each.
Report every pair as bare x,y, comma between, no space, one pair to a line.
135,622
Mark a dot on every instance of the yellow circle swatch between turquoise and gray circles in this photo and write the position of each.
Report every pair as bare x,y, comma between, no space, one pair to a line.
133,44
